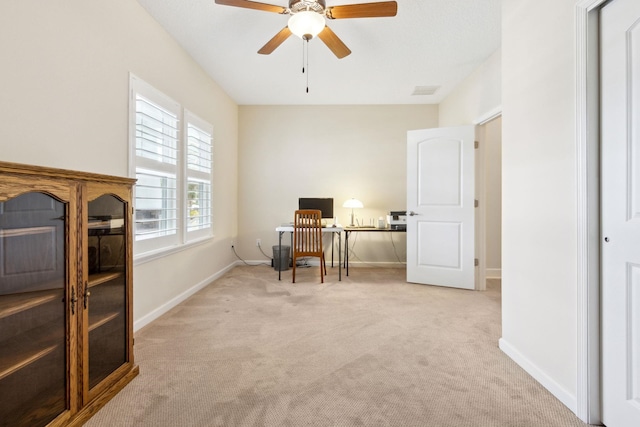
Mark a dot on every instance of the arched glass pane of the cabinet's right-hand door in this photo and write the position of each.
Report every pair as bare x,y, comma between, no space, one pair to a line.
106,290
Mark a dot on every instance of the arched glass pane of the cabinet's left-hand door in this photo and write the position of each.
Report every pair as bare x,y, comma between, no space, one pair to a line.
33,354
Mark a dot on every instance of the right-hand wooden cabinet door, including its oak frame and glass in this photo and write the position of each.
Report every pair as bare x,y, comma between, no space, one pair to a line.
106,293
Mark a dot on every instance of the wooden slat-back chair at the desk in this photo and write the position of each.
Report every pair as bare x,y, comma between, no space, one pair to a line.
307,238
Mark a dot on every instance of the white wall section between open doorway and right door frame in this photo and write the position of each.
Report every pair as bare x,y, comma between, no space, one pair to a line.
539,222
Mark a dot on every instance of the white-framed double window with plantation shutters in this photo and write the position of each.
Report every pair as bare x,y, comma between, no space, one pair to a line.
171,151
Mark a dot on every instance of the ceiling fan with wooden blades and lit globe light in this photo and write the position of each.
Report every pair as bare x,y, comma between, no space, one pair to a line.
308,20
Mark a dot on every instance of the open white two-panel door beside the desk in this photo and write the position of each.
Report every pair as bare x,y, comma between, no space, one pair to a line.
440,206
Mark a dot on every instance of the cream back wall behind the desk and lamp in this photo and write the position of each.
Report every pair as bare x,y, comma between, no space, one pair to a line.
288,152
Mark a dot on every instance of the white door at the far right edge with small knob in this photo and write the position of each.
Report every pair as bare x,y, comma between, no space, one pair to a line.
620,98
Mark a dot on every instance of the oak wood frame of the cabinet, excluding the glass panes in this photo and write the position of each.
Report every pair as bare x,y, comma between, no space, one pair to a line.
76,190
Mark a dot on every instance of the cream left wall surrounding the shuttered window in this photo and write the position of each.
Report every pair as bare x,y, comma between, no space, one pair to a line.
64,85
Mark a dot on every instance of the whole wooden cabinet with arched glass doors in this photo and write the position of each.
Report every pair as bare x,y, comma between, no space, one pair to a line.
66,331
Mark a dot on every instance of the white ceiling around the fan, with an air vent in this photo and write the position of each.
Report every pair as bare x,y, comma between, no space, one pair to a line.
428,43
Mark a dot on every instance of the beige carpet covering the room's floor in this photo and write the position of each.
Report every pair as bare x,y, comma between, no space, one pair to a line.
371,350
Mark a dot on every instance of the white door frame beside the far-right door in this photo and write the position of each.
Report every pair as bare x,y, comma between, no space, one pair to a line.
588,387
